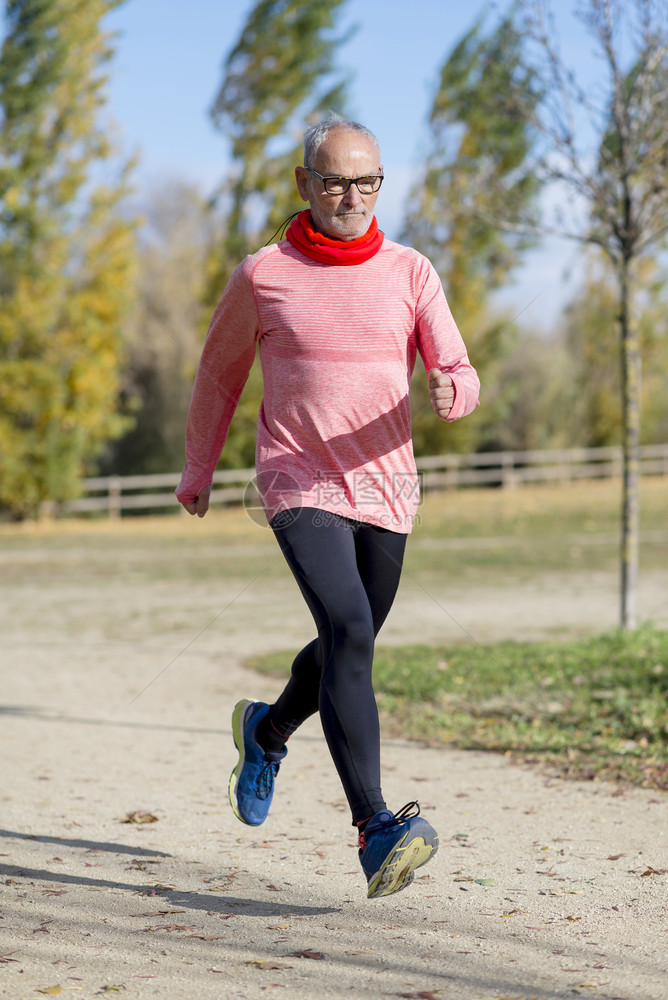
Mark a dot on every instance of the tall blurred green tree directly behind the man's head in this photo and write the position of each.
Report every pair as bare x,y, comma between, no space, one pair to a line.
279,76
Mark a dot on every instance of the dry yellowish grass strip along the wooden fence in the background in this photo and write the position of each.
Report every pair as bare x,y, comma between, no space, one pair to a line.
477,533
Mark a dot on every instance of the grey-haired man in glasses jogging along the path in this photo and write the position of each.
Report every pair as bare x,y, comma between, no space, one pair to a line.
339,314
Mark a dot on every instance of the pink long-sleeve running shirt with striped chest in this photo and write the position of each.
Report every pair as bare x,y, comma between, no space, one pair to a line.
337,348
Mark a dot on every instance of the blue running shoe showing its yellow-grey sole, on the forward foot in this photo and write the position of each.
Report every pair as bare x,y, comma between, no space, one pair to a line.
392,847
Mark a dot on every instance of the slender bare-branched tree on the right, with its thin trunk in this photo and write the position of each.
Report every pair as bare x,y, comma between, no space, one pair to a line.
602,144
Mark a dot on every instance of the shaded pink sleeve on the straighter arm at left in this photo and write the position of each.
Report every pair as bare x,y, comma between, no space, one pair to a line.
226,361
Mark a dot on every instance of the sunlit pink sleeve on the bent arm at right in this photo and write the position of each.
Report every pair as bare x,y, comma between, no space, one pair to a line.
440,343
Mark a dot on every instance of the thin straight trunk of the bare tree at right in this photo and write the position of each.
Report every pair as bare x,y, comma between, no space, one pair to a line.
631,383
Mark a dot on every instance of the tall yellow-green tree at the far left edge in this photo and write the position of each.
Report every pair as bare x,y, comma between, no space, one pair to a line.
66,251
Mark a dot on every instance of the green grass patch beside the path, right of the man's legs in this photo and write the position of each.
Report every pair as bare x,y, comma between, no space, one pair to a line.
591,708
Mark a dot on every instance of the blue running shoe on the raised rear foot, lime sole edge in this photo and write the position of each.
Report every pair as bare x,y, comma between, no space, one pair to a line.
251,786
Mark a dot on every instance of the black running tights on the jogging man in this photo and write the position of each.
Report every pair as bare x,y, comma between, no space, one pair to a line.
348,573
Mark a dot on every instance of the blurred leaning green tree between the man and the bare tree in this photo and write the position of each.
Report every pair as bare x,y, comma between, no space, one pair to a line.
478,163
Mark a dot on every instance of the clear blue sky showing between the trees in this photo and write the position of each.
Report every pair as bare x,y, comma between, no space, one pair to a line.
168,67
